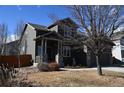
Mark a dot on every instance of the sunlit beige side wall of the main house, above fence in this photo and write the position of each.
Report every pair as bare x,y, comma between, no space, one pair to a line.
28,36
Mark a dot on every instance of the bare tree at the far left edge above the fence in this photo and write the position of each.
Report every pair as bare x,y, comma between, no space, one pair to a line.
3,38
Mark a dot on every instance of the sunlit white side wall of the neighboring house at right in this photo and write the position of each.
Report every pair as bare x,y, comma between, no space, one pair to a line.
116,50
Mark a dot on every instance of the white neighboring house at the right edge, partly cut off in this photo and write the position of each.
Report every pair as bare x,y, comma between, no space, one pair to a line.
118,39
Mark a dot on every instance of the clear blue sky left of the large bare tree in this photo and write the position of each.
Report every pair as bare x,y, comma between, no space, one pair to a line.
11,15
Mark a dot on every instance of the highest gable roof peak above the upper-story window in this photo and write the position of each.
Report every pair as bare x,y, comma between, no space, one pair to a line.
65,20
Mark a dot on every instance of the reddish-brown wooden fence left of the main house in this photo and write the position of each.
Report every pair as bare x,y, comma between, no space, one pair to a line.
25,60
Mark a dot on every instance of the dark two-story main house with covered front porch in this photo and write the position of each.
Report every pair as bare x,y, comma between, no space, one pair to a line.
55,43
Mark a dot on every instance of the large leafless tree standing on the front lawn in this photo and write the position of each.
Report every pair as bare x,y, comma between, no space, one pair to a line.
98,23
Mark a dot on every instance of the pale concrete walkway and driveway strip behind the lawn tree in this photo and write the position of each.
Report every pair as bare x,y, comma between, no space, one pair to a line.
116,69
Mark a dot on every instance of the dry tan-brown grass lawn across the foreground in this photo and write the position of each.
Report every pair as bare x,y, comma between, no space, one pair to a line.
77,78
